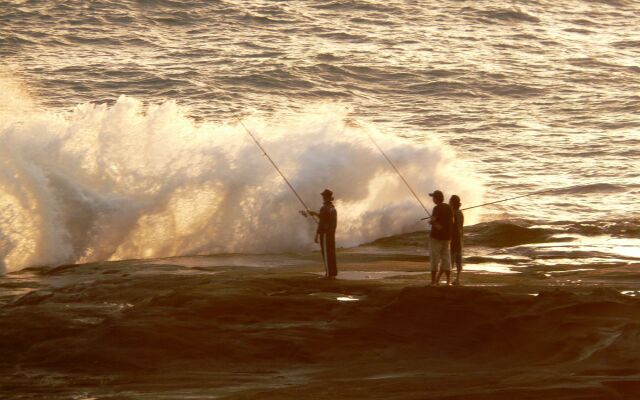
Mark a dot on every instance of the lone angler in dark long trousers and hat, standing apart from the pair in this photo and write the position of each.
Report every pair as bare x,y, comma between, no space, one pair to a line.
326,233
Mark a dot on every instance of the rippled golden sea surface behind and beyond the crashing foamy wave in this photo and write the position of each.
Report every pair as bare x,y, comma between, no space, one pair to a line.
530,95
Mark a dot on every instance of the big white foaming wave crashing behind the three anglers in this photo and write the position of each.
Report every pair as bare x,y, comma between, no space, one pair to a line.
116,182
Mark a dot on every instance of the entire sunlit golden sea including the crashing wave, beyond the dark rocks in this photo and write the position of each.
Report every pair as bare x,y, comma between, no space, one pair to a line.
120,135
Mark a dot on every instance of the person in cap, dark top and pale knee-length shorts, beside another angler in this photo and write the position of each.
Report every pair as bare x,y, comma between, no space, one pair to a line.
440,238
